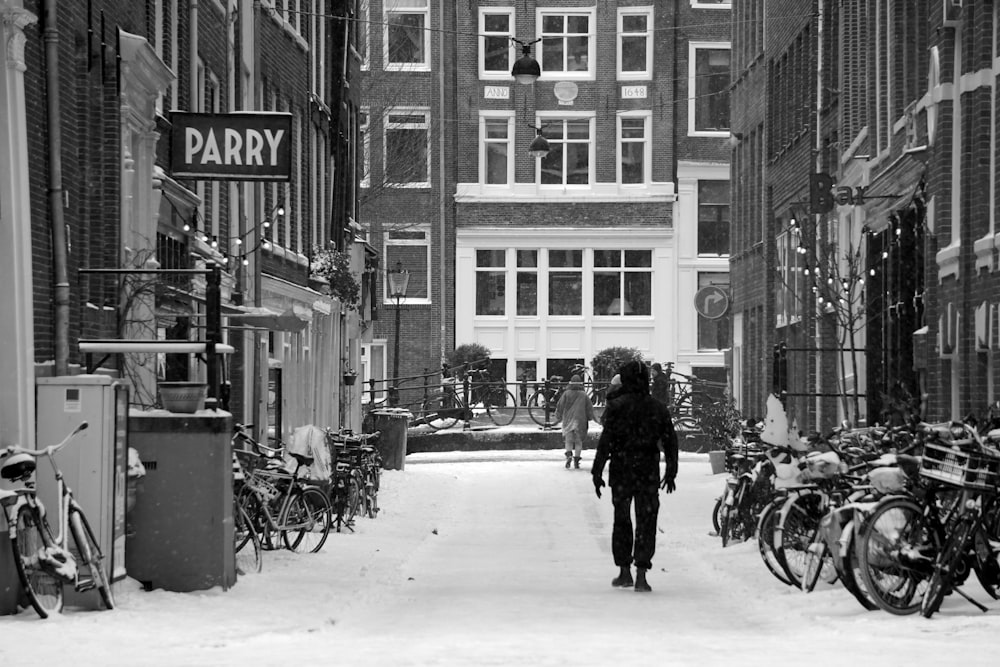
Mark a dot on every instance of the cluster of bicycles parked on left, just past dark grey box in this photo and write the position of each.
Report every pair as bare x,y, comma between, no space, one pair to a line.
286,499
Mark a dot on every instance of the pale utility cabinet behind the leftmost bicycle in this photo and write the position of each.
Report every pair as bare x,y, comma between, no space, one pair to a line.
94,463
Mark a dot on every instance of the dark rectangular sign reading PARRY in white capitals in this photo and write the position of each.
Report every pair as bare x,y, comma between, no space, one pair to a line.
234,146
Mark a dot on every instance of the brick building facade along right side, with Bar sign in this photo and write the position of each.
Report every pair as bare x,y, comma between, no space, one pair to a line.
901,237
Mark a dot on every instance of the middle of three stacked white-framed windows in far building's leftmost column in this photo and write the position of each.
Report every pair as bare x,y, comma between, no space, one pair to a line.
407,150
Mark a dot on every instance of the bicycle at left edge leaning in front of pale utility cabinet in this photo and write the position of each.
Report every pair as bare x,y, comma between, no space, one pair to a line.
42,560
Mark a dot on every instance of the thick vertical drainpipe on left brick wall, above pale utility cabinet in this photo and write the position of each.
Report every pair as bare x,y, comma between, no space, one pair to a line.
59,249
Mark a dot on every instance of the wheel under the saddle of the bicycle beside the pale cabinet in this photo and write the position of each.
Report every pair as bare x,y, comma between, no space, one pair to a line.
32,538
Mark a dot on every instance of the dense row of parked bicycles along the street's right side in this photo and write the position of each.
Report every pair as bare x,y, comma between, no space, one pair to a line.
900,517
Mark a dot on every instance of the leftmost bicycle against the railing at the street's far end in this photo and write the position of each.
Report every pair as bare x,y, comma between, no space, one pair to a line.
443,409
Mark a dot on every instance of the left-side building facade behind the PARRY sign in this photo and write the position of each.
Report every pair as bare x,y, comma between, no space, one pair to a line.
92,187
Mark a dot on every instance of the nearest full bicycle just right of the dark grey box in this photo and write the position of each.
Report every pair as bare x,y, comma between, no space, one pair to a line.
280,507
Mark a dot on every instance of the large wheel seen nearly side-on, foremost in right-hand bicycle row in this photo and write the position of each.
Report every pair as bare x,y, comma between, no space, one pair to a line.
896,549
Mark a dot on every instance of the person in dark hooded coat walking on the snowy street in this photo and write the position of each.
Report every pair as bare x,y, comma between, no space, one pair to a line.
636,429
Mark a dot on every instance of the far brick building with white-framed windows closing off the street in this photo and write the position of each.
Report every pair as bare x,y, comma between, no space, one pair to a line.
603,241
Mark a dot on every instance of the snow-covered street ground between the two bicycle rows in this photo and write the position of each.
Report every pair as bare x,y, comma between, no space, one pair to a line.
503,558
